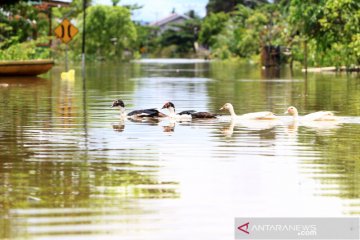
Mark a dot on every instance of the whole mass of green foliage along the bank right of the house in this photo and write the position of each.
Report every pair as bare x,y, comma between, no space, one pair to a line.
329,28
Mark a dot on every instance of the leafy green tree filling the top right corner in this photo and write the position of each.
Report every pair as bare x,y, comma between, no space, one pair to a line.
330,27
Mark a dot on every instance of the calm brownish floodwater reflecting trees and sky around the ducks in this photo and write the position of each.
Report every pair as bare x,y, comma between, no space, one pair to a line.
70,169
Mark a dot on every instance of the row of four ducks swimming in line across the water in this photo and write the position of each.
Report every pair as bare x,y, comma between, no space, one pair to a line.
192,114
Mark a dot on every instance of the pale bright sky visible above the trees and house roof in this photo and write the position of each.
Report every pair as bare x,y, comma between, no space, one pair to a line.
154,10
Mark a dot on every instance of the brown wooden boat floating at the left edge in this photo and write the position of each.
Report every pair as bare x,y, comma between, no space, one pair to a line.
25,68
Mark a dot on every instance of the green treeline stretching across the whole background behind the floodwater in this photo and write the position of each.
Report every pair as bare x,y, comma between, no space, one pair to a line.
322,33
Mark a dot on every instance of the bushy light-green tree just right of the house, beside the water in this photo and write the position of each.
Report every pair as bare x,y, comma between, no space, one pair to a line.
246,31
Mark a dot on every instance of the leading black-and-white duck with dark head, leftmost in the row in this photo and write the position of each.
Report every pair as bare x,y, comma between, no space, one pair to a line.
137,114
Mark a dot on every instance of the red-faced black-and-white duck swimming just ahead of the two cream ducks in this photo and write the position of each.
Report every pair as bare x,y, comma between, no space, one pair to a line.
186,115
